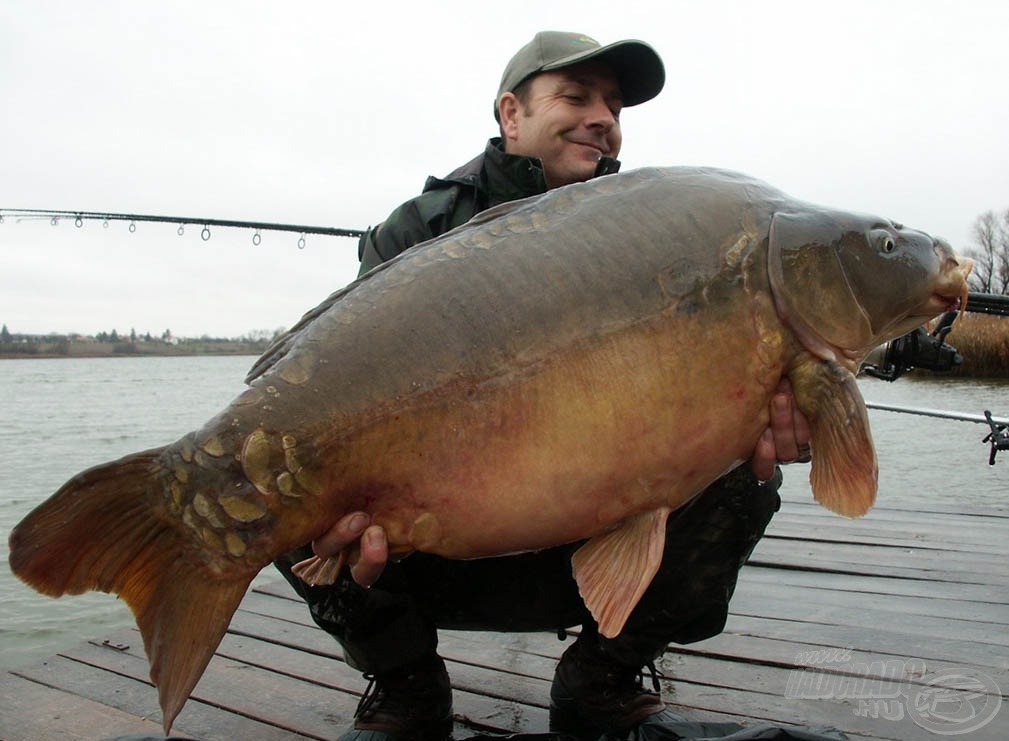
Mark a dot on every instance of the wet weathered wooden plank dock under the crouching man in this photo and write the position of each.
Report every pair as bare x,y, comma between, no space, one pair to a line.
836,623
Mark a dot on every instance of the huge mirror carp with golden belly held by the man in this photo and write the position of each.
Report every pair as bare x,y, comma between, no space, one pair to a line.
571,367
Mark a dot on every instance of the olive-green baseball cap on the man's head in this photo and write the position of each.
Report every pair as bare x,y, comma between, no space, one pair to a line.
639,68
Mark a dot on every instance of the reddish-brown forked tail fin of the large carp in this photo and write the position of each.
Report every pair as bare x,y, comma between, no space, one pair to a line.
100,533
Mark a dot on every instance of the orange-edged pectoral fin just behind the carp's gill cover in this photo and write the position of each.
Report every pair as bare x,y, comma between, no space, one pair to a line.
845,475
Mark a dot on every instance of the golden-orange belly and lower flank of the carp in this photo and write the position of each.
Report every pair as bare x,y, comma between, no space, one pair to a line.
565,451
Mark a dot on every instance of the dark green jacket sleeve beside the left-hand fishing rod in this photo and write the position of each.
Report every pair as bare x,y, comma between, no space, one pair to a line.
419,220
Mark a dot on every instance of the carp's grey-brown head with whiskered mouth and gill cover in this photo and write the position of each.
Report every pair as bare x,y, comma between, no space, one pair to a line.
847,283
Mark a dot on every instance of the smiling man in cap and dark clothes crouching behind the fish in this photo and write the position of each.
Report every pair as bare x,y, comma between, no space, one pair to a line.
558,109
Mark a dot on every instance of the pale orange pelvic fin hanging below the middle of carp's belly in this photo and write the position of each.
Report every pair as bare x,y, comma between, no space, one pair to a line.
613,571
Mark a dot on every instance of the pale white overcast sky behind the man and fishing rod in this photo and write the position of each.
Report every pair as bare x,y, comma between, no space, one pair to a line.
332,114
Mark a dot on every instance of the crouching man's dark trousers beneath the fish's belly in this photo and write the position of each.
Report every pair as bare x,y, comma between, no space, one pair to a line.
393,625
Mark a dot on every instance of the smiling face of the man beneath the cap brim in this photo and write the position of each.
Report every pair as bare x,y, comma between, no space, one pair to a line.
570,121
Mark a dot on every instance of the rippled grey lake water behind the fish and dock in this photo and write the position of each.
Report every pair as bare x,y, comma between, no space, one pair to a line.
62,416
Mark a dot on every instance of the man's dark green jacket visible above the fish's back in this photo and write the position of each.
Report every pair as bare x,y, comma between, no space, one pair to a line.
492,178
